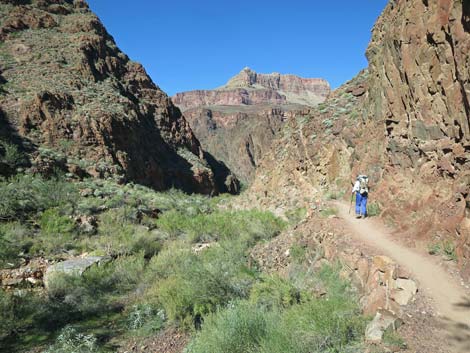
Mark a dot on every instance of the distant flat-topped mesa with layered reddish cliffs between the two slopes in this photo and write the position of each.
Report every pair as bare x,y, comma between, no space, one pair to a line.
237,122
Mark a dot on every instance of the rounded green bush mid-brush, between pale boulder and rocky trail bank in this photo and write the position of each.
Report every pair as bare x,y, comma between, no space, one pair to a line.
190,286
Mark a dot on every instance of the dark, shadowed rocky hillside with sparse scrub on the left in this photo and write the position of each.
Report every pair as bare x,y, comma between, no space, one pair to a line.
65,87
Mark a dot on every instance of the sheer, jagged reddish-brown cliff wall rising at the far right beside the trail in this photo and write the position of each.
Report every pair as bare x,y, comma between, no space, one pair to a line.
420,89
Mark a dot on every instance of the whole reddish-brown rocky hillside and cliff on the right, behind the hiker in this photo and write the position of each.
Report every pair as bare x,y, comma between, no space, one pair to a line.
404,122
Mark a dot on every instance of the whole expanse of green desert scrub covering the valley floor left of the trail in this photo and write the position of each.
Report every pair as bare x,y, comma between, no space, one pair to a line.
173,260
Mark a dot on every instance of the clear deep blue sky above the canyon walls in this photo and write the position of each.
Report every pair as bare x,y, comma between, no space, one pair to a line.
200,44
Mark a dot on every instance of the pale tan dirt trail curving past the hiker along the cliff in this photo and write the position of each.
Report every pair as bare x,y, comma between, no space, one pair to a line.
450,300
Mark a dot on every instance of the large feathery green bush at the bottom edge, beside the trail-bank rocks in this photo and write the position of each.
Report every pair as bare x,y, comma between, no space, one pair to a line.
328,324
